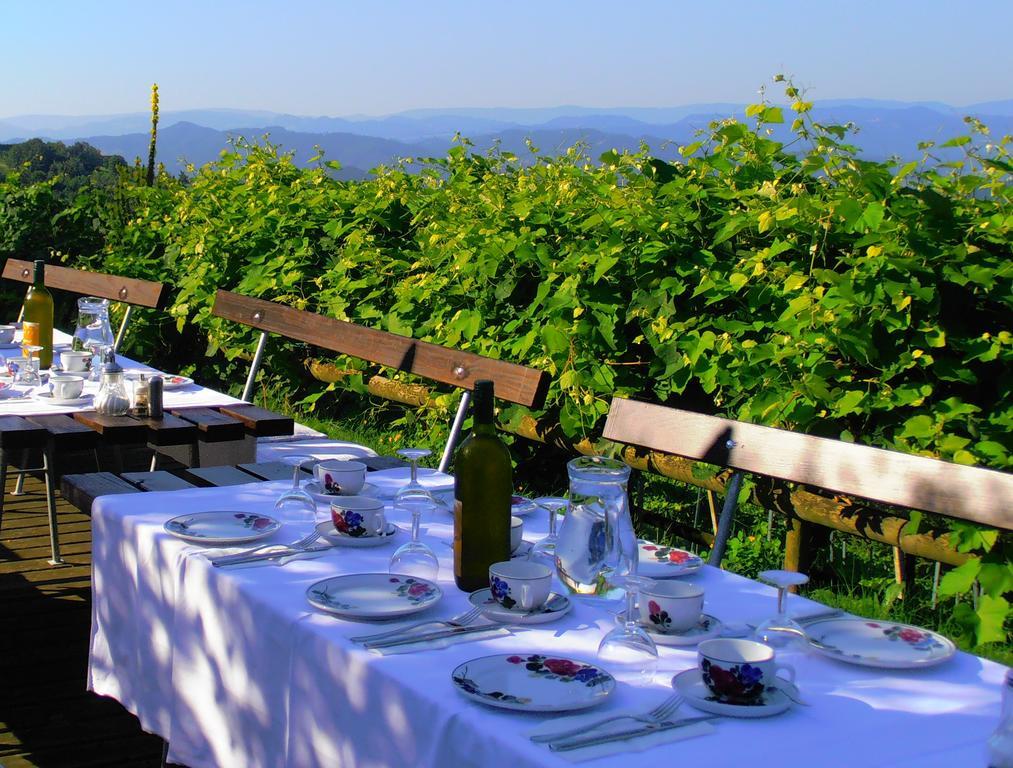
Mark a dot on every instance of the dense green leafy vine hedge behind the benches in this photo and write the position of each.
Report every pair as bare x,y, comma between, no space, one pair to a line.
794,285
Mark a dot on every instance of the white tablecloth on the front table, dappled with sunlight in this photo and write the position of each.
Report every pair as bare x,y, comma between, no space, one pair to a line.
236,669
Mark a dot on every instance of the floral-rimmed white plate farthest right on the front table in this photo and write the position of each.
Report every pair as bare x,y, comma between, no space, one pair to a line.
879,644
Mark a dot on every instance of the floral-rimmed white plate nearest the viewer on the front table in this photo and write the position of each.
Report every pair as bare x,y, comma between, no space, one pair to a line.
533,683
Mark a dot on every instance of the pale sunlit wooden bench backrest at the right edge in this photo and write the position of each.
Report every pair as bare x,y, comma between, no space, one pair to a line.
917,483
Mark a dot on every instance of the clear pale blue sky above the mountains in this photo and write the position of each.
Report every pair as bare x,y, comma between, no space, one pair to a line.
376,57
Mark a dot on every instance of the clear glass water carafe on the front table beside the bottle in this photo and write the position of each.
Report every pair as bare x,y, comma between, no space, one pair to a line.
597,545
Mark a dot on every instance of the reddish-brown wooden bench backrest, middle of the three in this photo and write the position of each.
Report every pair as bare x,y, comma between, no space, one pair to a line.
526,387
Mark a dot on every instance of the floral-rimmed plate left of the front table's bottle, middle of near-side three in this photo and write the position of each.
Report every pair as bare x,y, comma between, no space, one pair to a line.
373,596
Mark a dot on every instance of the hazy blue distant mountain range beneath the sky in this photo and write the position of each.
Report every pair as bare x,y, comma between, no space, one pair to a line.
362,143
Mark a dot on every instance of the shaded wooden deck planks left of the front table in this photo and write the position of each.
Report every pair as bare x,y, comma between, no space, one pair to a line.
47,718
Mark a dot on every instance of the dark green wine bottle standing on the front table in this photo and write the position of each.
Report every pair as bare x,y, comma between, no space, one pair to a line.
484,485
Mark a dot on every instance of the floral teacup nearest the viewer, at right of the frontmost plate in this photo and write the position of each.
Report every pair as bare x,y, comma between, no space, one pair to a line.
738,672
